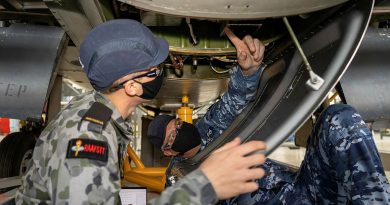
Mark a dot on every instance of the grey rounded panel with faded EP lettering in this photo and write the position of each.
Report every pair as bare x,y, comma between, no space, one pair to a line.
29,55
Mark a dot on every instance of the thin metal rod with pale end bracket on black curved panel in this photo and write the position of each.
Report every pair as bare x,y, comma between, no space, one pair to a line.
315,82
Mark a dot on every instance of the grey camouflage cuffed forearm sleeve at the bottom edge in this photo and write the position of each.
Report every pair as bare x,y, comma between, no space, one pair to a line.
195,188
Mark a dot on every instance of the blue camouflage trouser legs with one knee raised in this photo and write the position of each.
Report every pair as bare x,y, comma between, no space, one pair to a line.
341,166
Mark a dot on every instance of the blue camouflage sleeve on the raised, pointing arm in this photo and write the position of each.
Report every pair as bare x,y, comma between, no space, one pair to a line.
241,91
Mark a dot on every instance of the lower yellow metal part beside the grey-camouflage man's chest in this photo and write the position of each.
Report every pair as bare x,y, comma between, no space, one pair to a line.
152,178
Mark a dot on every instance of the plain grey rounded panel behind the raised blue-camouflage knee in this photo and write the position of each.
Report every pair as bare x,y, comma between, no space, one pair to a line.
366,83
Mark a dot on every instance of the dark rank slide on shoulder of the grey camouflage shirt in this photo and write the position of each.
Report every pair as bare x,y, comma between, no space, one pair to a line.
98,116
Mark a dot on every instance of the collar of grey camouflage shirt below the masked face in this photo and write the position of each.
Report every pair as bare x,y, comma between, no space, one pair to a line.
116,117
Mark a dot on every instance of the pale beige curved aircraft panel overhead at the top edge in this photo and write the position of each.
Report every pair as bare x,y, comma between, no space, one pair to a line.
232,9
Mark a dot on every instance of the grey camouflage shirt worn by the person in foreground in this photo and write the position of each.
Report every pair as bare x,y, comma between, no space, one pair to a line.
54,179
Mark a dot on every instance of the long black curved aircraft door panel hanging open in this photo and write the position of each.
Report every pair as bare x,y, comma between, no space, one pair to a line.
283,99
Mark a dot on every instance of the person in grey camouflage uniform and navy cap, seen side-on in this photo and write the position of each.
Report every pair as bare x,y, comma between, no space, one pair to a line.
78,157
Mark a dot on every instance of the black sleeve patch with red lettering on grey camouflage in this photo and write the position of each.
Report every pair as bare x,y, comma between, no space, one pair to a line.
87,148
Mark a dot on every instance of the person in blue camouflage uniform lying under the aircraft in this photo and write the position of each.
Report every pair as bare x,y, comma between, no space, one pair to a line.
341,165
